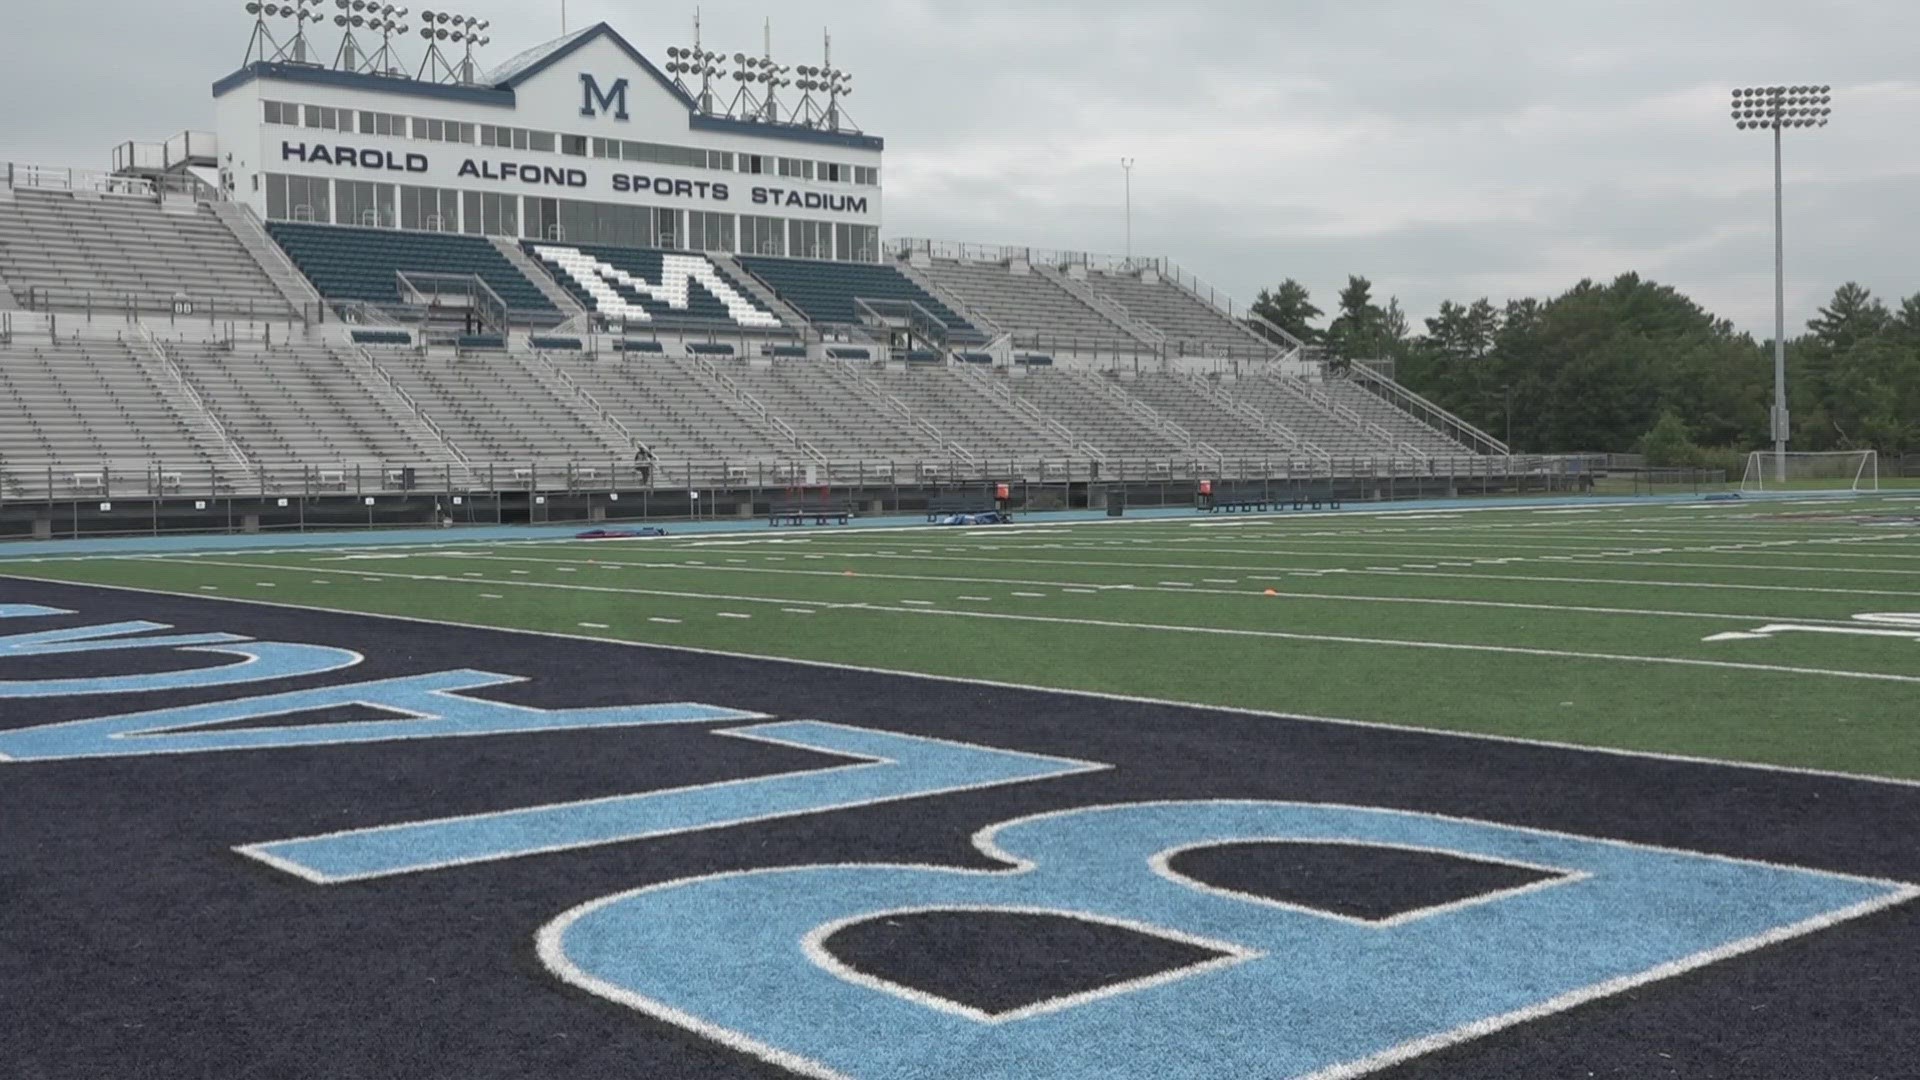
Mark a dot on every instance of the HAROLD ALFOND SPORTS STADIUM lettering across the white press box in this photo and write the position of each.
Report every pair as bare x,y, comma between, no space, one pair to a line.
565,178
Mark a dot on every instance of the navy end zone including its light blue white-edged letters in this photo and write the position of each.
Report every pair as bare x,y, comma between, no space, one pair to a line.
256,839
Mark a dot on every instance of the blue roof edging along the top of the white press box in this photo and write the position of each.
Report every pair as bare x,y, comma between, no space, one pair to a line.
504,80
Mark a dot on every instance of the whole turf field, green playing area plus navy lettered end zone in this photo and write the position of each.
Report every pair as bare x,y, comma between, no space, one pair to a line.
1497,793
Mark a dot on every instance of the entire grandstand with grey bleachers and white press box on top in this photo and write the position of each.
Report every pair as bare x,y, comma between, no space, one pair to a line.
590,285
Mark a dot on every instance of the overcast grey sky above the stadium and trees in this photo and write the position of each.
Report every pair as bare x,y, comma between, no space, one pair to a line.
1447,151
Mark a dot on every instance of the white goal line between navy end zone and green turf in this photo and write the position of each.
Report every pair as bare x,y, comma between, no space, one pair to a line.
1034,689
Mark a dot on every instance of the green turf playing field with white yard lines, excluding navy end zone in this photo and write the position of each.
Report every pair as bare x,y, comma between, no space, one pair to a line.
1783,633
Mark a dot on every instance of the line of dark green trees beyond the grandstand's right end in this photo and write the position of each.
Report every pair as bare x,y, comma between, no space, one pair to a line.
1635,366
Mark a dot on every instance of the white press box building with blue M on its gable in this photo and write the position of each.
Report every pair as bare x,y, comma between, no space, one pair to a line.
581,139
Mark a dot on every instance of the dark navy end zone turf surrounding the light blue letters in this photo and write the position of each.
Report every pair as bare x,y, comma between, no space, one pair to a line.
135,943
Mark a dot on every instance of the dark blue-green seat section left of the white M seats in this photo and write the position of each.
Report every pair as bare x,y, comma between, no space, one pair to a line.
362,264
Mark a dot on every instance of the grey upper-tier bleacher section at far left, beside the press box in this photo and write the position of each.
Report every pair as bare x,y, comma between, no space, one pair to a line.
103,251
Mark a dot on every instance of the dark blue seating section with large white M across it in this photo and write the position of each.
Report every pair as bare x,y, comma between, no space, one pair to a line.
642,285
